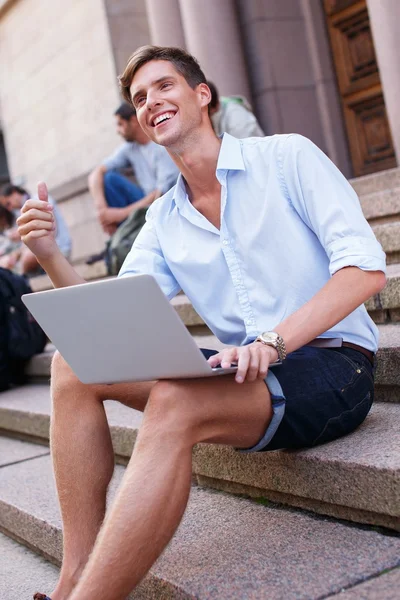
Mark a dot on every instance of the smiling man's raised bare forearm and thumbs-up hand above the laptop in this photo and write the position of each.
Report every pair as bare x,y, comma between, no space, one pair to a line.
36,226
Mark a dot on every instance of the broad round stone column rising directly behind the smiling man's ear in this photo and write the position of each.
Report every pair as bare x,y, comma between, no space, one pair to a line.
213,37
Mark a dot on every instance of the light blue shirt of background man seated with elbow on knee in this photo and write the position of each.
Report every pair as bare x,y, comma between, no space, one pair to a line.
153,167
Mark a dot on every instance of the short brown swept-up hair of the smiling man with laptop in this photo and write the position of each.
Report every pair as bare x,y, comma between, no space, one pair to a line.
183,62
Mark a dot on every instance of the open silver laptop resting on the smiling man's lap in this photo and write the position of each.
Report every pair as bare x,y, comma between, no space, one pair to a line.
119,330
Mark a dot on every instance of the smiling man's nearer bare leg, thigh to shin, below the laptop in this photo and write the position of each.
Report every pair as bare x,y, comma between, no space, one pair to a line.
155,489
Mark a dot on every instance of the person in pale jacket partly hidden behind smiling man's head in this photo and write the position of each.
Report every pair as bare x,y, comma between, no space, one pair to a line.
232,114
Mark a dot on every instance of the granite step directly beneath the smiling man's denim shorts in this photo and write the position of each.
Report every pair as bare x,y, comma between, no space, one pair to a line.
355,478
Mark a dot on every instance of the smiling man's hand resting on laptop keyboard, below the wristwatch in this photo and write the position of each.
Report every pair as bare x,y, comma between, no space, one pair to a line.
253,360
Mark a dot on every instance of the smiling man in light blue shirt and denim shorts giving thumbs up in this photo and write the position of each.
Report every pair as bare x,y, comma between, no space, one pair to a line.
267,239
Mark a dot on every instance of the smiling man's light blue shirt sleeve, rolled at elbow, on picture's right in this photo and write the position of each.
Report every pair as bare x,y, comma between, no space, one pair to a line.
328,205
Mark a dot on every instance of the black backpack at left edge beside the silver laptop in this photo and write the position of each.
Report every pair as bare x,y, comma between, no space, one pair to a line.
20,336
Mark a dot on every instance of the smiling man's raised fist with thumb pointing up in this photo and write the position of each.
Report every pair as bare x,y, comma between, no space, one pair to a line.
36,224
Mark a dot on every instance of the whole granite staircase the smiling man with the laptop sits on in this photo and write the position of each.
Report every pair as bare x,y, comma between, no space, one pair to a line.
262,544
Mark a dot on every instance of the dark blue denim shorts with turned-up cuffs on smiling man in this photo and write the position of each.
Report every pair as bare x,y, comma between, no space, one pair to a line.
318,395
